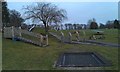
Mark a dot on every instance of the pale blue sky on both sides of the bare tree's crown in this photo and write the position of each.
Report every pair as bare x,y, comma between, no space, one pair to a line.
80,12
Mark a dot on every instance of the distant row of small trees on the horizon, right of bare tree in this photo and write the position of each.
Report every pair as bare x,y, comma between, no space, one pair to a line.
92,24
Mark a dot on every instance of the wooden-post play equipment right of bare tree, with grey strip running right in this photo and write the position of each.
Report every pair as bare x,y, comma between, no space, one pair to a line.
68,39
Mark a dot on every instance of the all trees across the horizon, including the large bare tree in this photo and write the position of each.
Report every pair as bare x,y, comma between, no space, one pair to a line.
48,14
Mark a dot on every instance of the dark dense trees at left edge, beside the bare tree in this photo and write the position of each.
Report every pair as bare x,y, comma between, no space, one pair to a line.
11,17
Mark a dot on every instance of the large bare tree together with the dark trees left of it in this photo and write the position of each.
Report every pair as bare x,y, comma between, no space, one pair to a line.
46,13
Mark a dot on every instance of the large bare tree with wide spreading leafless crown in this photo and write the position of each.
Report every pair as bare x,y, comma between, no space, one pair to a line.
45,12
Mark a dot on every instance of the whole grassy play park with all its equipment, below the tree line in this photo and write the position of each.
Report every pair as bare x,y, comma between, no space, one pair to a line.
64,49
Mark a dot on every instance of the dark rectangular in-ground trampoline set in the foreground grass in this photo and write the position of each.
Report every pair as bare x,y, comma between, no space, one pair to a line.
82,59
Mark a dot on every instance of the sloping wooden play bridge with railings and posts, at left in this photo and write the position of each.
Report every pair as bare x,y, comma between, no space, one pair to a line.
16,33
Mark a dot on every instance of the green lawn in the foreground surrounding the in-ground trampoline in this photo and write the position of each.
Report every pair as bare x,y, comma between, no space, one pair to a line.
18,55
